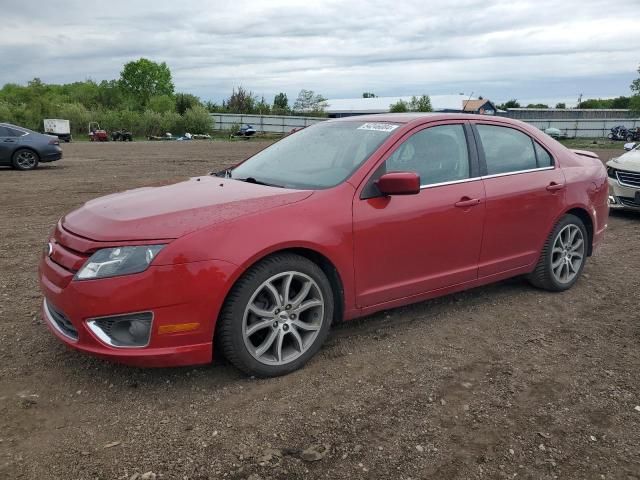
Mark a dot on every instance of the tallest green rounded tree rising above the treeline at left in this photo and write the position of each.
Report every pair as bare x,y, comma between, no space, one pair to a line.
143,79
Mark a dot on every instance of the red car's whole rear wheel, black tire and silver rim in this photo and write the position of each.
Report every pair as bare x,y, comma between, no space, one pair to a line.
562,259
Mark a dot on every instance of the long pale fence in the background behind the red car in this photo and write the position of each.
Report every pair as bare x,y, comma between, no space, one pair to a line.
587,128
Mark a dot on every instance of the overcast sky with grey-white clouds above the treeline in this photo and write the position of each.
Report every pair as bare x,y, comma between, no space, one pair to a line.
533,50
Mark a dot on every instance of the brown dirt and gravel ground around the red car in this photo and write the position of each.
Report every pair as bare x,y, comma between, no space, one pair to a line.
503,381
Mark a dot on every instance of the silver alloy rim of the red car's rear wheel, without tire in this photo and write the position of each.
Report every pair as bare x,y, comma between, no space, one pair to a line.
567,253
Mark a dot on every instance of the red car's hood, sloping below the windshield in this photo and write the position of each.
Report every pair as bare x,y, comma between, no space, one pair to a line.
171,211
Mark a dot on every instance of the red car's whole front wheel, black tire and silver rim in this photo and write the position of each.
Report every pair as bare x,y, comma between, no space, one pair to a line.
277,341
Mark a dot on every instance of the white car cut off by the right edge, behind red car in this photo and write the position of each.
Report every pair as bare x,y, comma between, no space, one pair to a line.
624,179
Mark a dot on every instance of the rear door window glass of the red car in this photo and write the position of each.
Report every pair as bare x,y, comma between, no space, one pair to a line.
506,149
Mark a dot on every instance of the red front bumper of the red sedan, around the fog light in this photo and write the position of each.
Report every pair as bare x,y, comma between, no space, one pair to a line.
190,293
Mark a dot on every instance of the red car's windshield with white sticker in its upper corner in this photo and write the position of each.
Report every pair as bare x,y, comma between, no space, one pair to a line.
320,156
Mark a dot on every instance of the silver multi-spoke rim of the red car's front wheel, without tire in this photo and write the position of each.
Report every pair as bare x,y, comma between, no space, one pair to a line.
283,318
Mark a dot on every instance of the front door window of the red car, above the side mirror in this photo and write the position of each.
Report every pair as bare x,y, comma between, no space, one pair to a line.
438,154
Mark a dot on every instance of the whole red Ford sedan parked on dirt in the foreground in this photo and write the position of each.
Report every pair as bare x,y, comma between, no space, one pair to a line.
336,221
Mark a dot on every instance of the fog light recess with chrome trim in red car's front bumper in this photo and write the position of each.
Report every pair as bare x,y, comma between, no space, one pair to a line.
124,331
